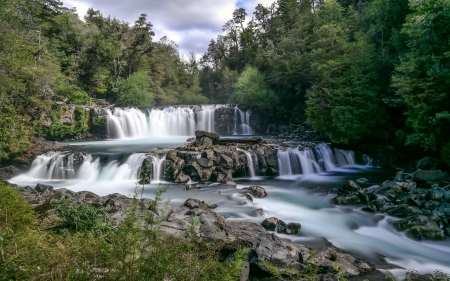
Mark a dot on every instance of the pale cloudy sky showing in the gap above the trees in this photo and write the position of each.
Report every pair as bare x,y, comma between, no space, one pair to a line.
190,24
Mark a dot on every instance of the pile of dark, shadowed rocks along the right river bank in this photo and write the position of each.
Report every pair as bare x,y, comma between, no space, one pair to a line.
423,206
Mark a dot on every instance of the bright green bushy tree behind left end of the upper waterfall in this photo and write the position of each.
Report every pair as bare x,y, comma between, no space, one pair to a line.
135,91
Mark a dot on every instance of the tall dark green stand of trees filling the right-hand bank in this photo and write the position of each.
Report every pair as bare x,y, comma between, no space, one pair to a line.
362,71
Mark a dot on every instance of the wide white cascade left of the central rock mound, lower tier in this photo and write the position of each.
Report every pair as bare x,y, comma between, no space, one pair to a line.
60,166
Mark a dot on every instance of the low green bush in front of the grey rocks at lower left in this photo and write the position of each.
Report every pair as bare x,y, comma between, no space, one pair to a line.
81,217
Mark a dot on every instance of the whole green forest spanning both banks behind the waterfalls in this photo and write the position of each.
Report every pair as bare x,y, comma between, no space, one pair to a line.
360,71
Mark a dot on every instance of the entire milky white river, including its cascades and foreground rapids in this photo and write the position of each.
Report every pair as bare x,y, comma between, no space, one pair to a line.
111,166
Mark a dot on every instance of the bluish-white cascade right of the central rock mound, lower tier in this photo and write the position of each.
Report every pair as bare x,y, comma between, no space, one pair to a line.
293,161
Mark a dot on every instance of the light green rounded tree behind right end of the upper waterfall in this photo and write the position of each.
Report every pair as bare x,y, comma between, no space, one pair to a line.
251,90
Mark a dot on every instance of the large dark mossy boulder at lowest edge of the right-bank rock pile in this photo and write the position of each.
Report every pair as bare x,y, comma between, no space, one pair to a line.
420,228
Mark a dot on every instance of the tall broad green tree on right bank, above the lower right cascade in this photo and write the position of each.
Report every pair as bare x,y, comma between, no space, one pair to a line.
343,98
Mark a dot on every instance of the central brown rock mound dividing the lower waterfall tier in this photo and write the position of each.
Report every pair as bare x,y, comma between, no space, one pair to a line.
206,159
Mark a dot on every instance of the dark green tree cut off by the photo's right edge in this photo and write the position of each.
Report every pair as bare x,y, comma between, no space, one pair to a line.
422,78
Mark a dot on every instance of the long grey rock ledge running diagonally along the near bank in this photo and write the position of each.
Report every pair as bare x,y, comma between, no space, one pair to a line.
196,217
